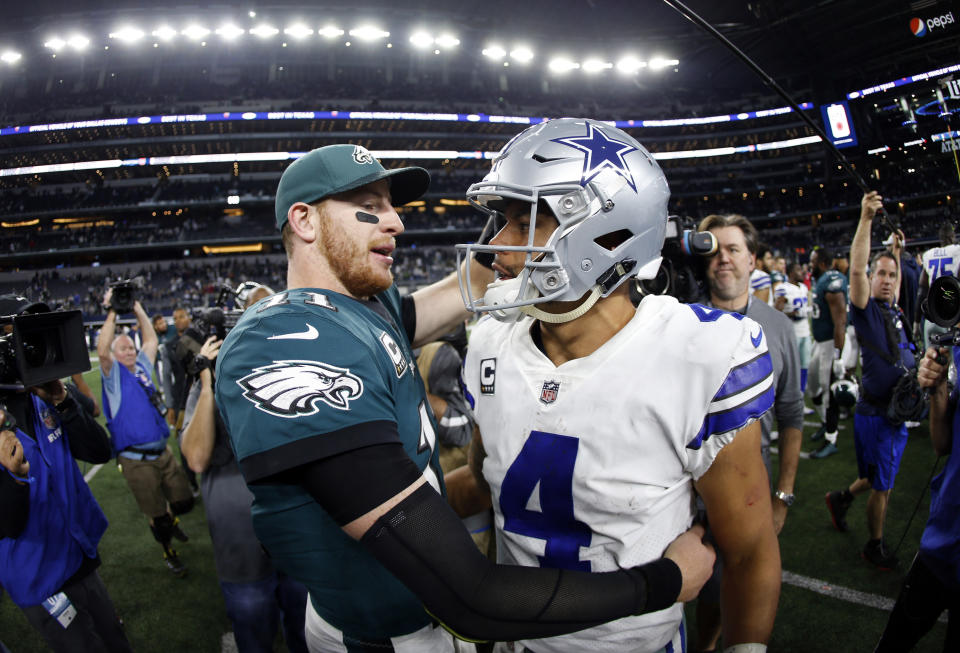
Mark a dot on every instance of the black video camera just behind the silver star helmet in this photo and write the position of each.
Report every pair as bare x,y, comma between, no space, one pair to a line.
681,273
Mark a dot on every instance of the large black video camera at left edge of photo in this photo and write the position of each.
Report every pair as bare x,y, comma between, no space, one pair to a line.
39,345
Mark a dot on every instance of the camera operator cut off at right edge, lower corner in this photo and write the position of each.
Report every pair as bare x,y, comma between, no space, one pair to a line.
933,582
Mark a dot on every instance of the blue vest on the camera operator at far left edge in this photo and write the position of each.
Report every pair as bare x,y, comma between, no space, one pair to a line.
65,523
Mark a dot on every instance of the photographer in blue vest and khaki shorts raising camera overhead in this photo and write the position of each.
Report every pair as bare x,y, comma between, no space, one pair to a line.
135,417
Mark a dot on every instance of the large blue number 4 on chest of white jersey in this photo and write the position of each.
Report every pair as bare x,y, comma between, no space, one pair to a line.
546,463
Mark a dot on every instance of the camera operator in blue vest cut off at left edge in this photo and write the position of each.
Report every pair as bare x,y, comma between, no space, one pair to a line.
50,524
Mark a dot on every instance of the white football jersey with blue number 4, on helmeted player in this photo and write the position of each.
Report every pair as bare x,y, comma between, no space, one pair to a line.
591,464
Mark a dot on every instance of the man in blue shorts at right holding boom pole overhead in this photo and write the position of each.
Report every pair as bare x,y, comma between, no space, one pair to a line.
888,356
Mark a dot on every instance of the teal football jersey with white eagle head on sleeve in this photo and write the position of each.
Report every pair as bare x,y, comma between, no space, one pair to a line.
310,373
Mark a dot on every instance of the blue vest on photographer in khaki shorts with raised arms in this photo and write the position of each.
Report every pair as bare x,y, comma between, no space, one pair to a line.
137,421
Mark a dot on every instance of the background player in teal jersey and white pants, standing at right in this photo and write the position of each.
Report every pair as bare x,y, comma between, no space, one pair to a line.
828,322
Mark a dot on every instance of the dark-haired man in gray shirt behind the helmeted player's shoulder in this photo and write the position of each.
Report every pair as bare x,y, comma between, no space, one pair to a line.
728,279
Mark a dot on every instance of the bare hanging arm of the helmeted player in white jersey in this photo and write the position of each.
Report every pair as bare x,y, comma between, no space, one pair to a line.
736,492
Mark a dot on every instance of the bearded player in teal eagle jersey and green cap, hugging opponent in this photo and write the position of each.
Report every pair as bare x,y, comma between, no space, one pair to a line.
328,418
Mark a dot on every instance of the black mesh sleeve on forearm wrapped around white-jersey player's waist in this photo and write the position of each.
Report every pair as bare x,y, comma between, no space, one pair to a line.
423,543
